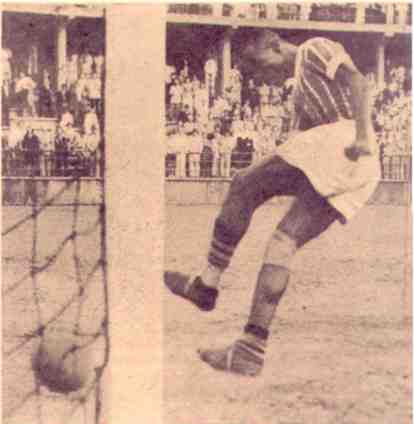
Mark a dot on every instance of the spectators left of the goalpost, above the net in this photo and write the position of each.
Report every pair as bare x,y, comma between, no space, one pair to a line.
31,96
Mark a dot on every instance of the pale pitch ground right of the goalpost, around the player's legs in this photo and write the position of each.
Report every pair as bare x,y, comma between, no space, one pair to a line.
340,349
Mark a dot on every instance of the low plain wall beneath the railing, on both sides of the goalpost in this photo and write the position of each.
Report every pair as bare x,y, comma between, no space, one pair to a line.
61,191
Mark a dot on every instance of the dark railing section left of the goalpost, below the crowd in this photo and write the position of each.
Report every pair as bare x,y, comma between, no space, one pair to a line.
25,163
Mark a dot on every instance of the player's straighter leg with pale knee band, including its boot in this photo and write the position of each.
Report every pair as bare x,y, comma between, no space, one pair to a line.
309,216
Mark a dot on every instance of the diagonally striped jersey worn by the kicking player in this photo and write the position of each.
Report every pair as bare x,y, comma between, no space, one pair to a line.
319,98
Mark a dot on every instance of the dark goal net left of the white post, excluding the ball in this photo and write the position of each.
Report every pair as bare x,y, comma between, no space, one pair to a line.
54,286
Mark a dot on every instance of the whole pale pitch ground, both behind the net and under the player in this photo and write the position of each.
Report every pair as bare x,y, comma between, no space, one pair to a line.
339,351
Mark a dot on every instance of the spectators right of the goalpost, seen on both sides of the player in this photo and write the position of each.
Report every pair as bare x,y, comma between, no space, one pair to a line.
213,135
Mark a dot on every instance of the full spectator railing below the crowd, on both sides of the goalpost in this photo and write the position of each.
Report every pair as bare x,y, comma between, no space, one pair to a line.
23,163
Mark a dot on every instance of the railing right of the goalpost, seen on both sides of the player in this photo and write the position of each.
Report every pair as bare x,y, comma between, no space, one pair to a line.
225,165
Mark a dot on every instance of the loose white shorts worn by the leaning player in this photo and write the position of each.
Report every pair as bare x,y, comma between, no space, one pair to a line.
319,153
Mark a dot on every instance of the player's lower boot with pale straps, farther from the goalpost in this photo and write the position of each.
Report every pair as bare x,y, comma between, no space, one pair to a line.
240,358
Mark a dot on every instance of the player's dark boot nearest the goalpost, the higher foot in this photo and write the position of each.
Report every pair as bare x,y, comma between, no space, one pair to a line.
194,290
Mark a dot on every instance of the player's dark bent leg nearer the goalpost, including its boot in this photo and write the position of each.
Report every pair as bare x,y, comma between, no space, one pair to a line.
249,189
